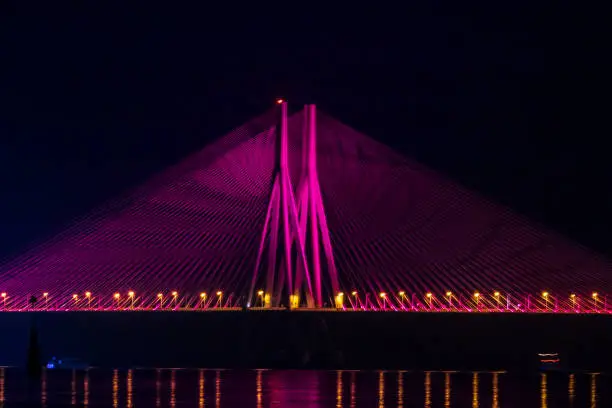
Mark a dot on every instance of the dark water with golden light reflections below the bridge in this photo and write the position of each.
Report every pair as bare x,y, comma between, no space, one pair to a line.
302,389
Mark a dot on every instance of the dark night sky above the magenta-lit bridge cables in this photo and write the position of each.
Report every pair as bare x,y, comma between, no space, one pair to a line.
507,99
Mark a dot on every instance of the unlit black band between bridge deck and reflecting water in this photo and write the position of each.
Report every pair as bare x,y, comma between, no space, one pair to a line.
313,339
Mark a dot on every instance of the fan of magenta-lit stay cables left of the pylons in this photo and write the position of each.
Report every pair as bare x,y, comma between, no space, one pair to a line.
188,229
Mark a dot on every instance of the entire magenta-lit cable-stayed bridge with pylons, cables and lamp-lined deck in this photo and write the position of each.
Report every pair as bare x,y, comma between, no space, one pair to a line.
301,211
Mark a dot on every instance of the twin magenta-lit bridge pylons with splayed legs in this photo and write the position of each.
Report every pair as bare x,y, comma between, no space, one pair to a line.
295,232
